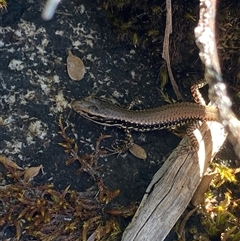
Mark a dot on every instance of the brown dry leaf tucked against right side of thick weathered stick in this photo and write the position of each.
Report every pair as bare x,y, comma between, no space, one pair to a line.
198,196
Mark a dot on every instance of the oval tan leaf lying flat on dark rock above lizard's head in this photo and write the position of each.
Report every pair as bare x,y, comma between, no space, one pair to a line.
75,67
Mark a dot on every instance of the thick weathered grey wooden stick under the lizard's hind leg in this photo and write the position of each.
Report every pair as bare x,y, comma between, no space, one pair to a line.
173,186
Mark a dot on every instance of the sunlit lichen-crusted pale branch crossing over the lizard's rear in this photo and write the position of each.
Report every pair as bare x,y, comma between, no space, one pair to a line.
206,41
